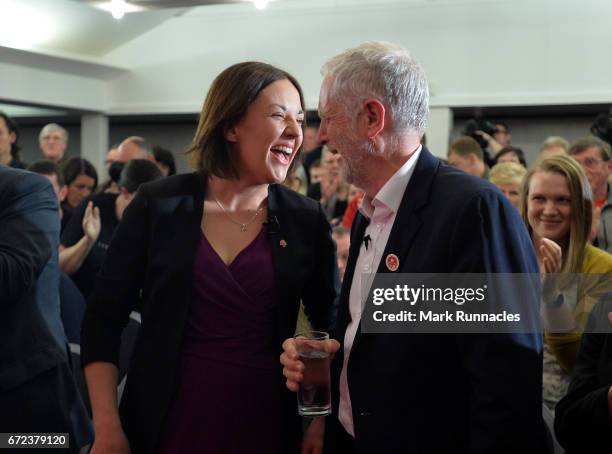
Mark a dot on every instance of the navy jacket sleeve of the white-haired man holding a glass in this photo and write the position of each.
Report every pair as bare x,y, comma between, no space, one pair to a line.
505,411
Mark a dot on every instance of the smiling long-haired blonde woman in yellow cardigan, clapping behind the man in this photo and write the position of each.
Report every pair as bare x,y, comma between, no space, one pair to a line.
556,207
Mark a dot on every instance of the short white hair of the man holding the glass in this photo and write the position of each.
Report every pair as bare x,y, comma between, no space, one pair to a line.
384,71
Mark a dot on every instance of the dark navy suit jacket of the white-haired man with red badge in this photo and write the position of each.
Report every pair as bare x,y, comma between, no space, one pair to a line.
443,393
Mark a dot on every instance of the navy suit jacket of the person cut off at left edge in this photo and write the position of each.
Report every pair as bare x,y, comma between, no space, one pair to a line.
32,339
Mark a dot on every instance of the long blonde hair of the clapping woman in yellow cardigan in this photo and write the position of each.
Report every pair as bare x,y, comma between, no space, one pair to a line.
581,205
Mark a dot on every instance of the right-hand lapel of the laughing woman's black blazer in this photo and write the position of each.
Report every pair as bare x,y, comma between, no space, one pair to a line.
276,230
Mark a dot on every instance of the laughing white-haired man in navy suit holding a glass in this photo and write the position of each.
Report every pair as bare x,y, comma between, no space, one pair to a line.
421,393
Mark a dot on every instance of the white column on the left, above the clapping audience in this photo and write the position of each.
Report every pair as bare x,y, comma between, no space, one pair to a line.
94,141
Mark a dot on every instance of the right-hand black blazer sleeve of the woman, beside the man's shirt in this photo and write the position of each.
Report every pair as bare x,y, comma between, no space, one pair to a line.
320,292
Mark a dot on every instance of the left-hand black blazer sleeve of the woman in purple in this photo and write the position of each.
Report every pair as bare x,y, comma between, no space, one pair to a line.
117,287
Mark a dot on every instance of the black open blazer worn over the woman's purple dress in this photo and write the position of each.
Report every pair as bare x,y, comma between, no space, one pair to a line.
154,249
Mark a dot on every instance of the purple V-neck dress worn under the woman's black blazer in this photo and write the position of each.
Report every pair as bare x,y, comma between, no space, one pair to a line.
228,398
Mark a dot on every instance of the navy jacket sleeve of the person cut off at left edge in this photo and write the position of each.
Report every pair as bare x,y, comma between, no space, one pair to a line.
27,210
